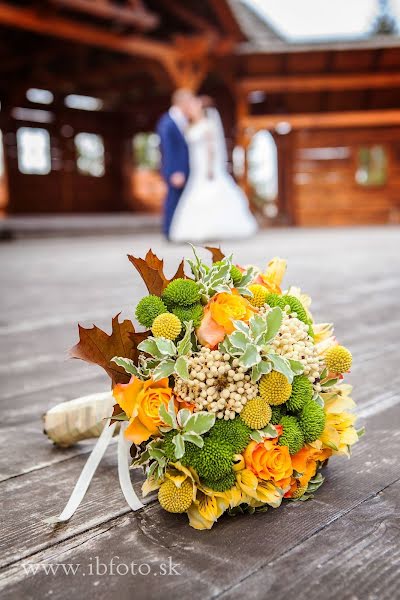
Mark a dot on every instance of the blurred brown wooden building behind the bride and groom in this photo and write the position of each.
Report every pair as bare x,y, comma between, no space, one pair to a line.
79,79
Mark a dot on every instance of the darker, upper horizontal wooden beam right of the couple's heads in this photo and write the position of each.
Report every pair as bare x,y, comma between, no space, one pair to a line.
317,83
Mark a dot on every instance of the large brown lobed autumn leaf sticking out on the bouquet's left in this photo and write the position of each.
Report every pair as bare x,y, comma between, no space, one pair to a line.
98,347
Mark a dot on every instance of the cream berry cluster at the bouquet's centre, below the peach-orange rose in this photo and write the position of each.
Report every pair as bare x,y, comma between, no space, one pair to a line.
216,384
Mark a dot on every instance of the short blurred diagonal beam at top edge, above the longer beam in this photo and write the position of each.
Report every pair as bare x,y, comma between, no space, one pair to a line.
139,17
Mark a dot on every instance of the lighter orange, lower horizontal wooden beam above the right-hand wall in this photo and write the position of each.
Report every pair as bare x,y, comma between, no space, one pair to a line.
348,119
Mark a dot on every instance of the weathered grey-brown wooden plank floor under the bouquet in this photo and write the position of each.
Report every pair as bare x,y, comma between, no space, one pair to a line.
342,545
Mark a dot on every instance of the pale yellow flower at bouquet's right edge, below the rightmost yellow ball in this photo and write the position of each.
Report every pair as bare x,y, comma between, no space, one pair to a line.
339,433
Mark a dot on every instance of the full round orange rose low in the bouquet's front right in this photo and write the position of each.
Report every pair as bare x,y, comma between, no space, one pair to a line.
269,461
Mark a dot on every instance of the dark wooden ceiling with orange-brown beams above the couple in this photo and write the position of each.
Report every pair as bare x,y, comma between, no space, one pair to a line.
135,51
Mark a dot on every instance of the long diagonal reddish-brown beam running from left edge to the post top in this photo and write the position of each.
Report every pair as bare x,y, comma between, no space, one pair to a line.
55,26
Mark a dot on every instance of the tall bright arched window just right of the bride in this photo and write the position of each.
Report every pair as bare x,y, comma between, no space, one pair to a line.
262,163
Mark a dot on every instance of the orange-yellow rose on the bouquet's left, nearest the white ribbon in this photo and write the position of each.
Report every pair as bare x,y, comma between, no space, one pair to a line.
141,400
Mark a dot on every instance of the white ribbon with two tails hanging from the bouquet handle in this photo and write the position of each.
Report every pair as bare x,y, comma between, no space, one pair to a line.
90,468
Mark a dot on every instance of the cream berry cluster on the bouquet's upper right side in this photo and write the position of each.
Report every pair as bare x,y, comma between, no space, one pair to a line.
292,341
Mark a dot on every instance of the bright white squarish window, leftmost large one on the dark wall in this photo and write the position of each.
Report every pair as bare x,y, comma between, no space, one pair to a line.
33,151
